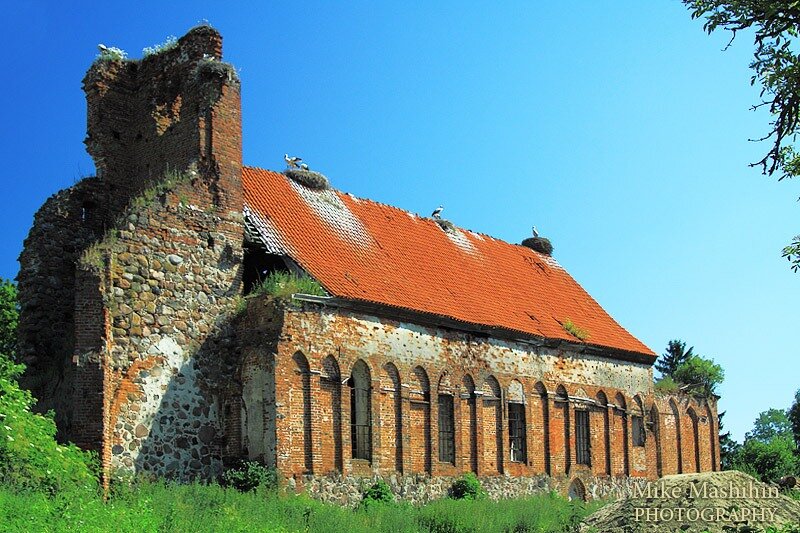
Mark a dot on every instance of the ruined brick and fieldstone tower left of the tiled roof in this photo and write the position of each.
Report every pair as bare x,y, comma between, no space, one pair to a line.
144,258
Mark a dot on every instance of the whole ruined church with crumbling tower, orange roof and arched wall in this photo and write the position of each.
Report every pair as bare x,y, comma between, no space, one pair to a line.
434,350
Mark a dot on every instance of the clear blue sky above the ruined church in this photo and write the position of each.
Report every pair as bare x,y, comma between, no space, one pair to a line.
620,129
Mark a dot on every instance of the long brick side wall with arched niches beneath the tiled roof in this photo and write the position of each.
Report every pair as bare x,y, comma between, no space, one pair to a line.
422,362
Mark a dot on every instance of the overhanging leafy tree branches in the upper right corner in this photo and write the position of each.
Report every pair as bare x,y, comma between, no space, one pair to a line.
776,68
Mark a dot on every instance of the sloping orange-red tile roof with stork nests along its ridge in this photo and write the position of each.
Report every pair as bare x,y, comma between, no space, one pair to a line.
366,251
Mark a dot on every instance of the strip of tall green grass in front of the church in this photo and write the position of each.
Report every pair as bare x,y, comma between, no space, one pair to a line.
162,507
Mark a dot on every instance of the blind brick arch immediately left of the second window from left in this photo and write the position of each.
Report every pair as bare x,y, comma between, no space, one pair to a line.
419,434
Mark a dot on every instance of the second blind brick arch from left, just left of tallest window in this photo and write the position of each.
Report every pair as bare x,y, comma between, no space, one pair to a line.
330,411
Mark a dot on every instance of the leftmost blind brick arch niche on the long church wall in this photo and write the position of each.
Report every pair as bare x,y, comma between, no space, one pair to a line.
300,424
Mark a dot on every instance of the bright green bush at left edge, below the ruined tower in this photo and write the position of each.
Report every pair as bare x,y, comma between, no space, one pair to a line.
30,457
